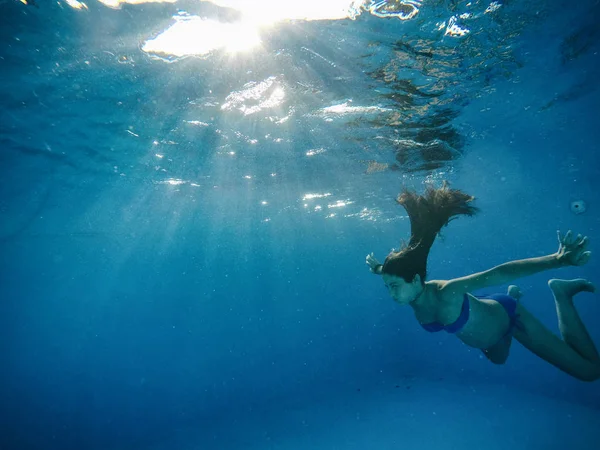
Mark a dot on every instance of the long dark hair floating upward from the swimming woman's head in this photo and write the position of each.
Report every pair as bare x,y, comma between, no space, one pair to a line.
428,214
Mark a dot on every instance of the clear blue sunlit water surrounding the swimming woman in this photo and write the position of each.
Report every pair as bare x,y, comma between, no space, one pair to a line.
182,238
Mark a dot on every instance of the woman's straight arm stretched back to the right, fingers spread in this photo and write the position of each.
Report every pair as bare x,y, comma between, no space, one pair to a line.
571,251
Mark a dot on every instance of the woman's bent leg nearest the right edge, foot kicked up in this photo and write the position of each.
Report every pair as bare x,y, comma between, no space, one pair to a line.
576,354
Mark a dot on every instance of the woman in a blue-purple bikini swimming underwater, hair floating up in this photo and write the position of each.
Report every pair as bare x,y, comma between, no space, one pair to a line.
488,322
